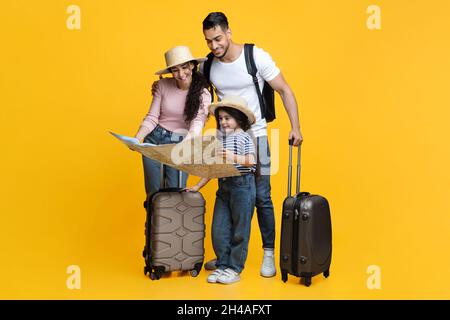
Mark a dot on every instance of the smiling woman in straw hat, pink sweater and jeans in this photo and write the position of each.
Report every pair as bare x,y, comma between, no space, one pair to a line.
179,105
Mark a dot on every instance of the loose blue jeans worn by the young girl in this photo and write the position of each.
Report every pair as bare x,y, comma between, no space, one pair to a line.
233,211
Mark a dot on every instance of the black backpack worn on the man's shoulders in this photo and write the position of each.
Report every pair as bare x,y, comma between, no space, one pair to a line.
266,99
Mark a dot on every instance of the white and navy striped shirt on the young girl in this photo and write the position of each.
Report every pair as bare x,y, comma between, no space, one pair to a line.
240,143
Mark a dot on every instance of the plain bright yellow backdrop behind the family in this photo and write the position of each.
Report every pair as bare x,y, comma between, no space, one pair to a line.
374,107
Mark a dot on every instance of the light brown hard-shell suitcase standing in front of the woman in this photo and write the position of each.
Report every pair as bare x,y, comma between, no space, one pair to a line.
174,231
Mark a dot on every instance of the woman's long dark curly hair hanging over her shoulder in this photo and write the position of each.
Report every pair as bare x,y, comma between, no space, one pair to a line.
194,96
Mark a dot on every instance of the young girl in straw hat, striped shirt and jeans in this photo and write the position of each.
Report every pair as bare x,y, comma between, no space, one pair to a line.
235,198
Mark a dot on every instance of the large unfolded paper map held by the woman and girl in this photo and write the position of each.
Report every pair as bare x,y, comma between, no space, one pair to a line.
196,156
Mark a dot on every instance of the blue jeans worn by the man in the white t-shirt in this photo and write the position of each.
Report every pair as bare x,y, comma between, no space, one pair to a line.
264,205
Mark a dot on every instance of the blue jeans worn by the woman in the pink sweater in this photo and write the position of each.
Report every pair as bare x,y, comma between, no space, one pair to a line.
152,168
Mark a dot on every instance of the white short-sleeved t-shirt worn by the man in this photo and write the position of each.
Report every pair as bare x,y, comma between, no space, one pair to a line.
233,79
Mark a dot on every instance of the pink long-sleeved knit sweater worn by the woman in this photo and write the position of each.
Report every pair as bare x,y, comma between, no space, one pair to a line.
167,109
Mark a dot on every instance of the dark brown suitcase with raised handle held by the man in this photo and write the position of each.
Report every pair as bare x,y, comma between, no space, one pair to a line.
305,248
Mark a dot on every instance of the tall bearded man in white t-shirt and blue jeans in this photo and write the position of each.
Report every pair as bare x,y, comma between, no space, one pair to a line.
229,76
